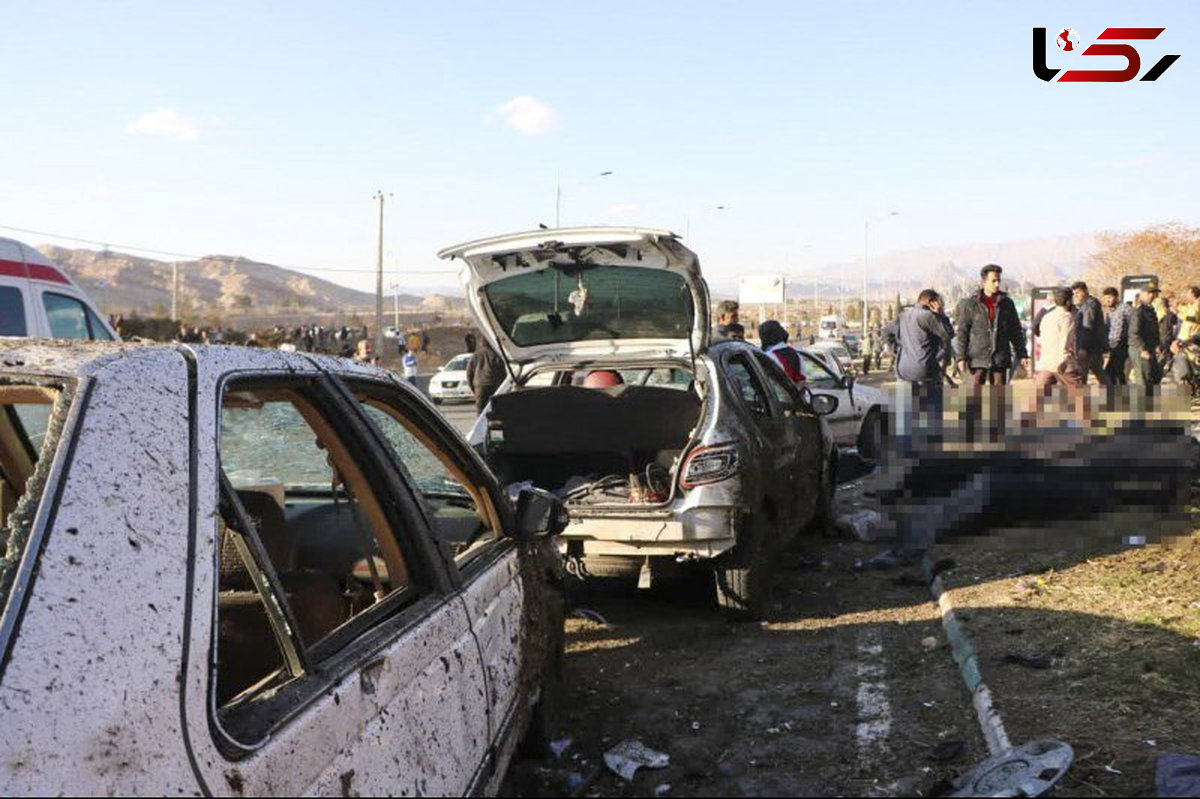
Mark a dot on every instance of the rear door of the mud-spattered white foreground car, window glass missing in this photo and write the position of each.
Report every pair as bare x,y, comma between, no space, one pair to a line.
332,654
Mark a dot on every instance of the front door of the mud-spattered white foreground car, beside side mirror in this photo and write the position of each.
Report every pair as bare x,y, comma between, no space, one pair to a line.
469,518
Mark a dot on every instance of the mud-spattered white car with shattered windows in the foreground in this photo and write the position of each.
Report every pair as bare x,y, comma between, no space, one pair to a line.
243,572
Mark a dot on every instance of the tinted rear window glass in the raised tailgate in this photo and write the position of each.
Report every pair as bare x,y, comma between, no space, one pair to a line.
560,305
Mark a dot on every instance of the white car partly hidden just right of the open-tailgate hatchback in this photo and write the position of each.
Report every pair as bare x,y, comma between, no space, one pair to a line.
861,417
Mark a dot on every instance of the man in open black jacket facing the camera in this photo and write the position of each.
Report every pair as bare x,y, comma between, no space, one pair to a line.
989,333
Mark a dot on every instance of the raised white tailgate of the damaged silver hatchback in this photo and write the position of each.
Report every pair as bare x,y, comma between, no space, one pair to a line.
586,293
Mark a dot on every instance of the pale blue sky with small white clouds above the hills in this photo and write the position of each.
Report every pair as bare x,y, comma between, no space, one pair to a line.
265,129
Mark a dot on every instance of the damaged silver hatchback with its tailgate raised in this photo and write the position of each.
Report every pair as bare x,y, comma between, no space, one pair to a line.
692,453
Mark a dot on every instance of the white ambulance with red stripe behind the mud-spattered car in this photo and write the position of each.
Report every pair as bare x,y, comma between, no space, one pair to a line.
39,301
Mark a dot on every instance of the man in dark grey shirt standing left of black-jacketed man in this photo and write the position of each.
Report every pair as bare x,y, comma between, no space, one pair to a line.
921,345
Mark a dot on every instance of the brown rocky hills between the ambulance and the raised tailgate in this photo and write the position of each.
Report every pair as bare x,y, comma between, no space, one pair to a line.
217,285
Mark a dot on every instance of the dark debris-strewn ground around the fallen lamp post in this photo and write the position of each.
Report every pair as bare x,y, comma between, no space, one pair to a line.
850,687
